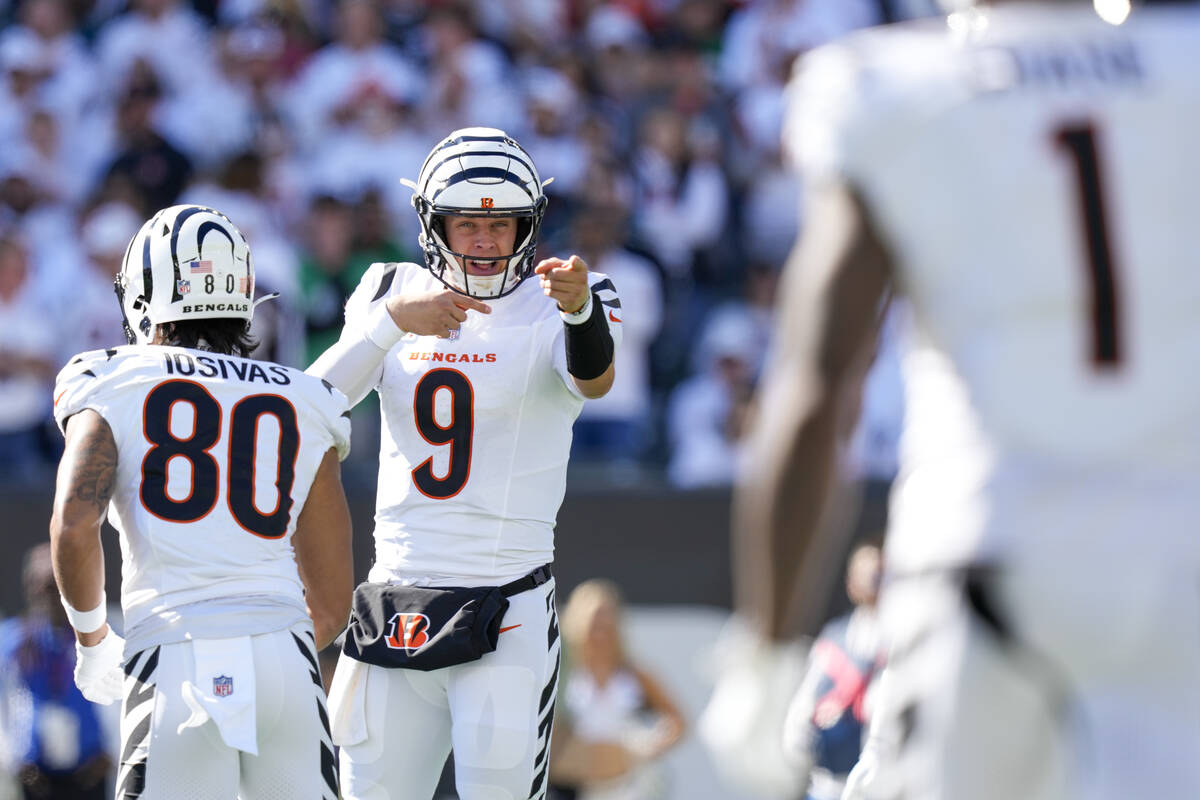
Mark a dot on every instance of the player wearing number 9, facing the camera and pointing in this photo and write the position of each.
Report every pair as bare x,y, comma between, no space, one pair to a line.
481,375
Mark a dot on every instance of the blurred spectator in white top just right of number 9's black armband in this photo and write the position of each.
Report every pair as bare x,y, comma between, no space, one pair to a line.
616,428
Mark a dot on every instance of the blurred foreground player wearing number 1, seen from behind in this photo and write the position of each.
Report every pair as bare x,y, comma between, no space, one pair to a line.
1028,176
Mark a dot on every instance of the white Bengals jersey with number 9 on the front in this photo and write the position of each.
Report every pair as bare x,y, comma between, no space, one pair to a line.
477,431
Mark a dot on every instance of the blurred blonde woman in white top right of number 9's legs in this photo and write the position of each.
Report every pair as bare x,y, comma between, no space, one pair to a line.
617,719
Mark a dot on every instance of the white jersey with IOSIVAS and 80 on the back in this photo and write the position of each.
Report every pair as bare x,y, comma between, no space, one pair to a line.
215,460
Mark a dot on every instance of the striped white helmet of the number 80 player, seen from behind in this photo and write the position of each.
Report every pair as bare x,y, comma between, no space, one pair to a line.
189,262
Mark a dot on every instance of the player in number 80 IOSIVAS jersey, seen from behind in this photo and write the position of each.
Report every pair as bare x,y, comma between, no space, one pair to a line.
221,476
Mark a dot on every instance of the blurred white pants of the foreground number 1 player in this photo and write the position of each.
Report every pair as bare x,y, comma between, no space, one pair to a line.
1071,676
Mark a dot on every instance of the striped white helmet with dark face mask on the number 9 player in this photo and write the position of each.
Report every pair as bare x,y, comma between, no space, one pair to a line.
479,172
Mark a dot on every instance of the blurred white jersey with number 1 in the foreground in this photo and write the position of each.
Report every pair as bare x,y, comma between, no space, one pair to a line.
1035,173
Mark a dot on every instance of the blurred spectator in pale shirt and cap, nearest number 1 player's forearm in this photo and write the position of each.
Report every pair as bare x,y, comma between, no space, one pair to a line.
709,413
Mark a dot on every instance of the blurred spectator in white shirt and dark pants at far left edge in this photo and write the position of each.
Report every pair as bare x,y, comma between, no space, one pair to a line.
28,334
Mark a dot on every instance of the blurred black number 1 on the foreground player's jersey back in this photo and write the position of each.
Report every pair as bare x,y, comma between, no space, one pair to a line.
1079,142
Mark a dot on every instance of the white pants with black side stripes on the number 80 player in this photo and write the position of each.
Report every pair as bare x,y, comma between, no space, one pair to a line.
185,702
